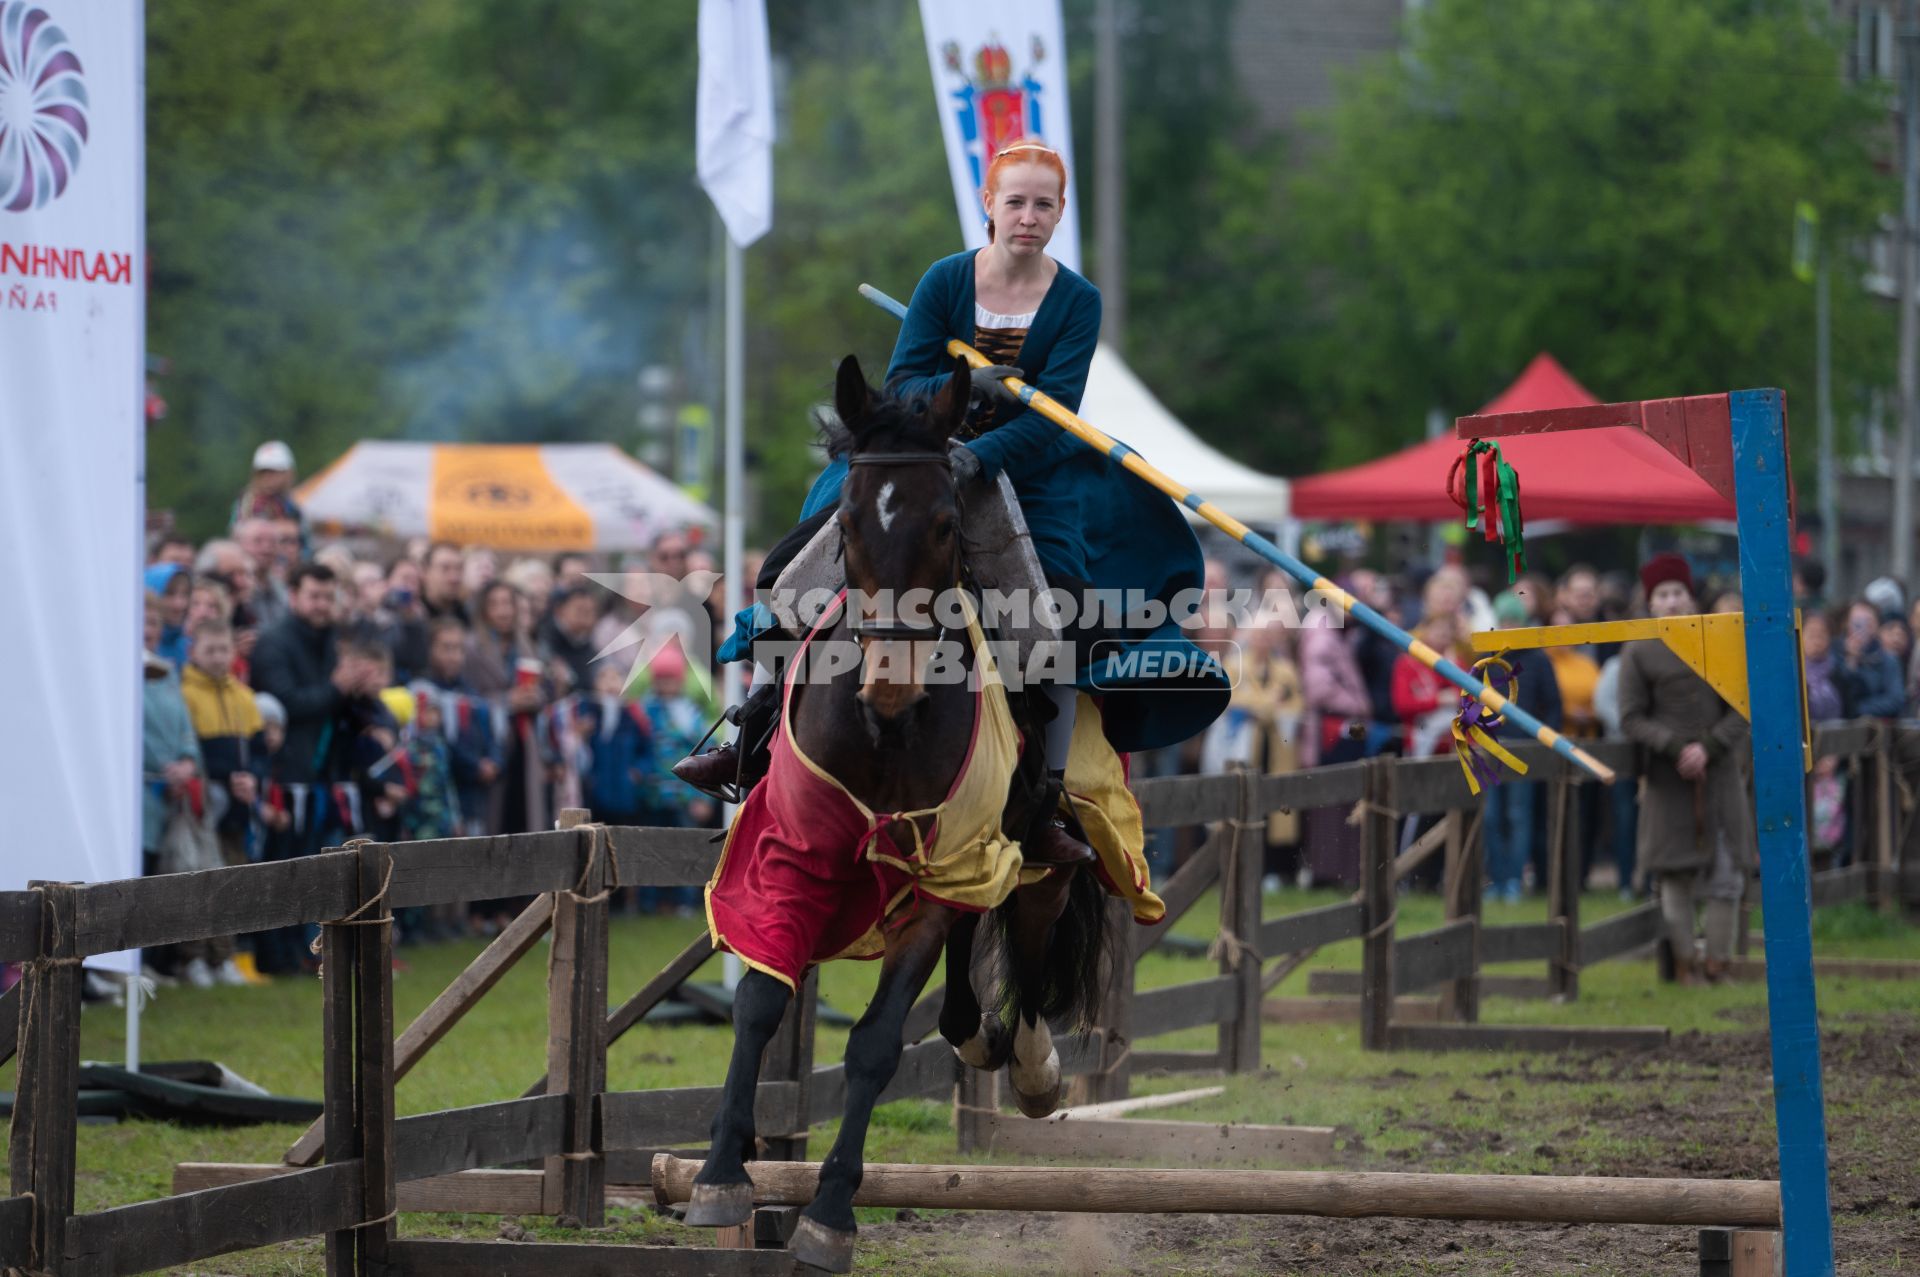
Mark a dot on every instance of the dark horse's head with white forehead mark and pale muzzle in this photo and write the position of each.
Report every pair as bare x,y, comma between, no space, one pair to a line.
901,531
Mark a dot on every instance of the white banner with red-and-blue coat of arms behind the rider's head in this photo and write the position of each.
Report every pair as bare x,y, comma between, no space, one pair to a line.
999,76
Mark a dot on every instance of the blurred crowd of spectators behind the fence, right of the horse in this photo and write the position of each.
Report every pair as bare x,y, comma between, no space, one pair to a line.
1330,692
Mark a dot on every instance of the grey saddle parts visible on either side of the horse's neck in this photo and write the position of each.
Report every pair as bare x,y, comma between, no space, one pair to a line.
999,558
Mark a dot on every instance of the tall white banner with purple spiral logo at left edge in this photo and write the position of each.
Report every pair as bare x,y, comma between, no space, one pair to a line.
72,437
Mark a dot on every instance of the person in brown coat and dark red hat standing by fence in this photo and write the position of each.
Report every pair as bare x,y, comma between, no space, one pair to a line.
1696,825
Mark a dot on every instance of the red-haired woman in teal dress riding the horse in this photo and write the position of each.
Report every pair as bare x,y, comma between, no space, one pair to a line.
1092,523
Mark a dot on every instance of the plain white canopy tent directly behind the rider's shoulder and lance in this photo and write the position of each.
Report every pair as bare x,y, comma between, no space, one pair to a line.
1122,406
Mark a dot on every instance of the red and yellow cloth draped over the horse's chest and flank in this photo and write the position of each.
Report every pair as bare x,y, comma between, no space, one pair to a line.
809,873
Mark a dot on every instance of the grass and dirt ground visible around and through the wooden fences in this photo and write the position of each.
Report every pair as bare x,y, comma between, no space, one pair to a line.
1447,1113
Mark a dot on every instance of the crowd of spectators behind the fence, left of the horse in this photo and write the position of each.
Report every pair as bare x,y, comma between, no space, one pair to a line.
300,694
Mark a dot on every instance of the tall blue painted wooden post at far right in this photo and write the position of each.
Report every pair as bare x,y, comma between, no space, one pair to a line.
1781,817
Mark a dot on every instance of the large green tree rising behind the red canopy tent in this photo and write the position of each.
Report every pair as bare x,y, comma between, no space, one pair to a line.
1612,181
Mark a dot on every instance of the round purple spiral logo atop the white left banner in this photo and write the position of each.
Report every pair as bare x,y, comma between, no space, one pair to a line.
43,108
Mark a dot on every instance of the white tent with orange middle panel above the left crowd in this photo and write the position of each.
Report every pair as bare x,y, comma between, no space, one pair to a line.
508,496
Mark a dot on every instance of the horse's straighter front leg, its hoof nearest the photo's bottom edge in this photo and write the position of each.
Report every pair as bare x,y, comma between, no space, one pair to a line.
827,1230
